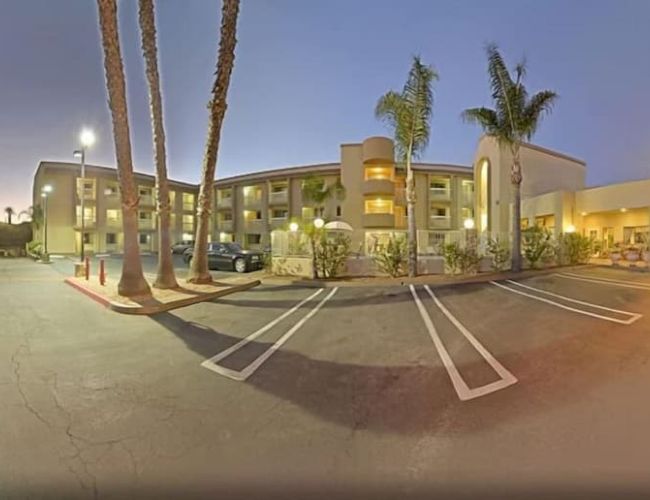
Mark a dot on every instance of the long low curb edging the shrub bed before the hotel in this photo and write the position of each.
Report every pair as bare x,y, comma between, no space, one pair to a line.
434,281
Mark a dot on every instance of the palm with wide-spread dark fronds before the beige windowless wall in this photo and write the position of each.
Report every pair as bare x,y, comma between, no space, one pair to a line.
514,120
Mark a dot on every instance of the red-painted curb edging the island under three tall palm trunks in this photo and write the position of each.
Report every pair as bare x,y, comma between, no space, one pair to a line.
160,307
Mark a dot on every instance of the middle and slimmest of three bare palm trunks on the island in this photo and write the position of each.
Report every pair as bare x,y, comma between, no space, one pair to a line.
165,277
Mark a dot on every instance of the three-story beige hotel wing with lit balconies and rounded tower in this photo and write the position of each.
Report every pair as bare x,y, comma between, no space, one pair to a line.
246,208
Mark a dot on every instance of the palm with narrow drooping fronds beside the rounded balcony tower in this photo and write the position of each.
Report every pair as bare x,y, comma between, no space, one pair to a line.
409,113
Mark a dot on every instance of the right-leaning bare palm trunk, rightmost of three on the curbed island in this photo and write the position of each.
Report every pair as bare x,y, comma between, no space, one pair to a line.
199,272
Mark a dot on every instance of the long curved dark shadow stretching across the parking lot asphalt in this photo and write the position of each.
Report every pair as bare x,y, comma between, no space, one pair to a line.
417,399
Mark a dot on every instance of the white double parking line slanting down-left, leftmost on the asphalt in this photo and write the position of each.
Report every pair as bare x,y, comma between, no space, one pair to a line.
211,364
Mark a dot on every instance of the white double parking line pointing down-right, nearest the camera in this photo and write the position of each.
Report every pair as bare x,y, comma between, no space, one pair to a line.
461,387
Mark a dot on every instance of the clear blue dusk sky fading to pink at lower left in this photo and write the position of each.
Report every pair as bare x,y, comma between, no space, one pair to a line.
308,74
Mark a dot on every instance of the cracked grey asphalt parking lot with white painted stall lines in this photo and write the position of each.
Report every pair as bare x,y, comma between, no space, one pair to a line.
492,389
